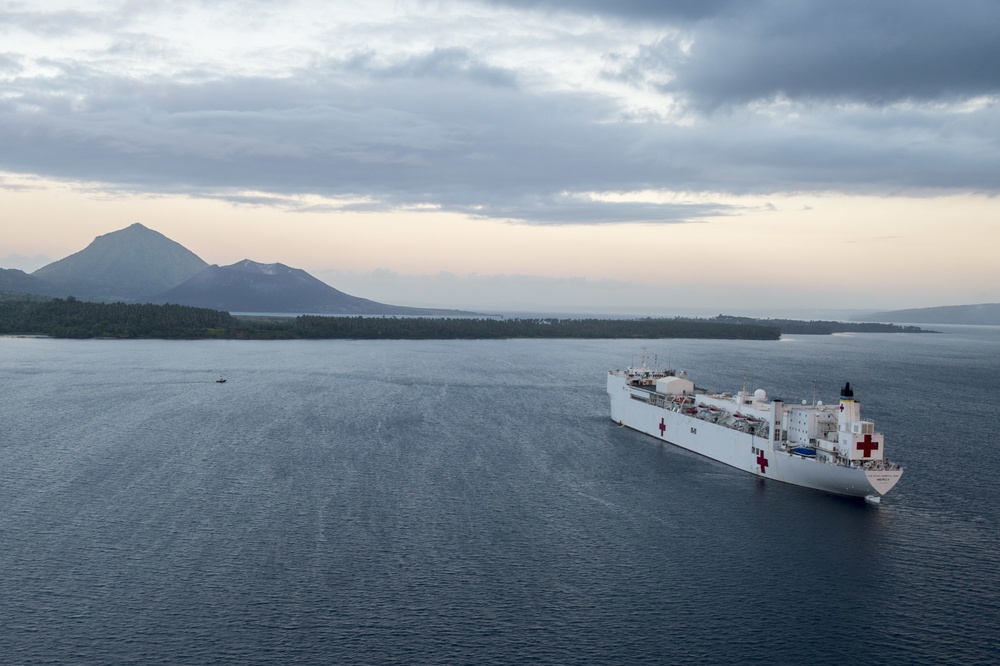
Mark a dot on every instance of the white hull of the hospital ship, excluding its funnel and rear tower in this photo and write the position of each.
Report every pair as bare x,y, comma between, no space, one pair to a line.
769,454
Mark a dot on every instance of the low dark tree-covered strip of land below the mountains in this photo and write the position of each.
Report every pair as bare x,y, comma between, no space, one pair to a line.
71,318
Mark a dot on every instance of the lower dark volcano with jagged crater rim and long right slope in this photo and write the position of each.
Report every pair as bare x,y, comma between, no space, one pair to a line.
248,286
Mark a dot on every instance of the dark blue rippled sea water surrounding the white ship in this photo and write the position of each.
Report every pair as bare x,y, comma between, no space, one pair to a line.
472,502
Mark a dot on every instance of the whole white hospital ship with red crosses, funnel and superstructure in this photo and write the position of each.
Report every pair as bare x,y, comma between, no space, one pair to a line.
826,447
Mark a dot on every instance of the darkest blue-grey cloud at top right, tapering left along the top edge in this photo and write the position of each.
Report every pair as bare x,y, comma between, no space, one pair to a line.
875,53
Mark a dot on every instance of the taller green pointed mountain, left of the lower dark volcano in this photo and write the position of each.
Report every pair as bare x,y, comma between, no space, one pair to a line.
132,264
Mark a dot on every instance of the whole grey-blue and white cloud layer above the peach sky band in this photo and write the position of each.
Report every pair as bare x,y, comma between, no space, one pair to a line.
530,111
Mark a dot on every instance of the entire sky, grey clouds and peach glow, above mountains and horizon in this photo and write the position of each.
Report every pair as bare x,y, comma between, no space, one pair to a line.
630,157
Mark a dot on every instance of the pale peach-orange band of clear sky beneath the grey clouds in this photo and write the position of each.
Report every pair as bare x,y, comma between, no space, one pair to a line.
938,246
